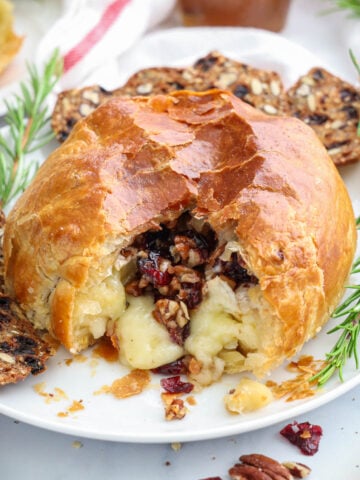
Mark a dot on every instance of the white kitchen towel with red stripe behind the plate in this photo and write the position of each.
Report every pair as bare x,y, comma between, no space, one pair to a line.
91,34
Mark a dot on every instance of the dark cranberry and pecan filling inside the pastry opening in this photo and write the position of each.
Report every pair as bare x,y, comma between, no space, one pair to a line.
171,265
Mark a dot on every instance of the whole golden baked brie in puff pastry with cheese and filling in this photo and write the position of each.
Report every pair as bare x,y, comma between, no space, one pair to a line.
187,225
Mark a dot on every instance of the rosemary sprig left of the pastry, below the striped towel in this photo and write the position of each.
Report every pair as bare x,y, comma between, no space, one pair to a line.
28,128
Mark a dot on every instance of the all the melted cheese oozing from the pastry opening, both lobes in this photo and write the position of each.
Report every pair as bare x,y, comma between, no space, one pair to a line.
223,321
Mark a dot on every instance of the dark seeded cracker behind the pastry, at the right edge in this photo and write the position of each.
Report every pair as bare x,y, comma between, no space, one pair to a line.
331,107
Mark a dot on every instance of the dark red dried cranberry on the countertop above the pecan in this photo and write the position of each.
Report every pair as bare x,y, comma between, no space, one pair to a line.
304,435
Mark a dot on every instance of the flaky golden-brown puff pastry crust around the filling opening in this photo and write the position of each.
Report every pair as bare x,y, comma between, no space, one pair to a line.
135,163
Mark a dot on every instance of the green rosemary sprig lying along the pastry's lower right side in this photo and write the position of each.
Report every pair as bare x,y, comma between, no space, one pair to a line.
347,344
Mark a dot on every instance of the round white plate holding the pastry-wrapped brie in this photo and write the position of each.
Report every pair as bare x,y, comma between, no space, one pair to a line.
141,418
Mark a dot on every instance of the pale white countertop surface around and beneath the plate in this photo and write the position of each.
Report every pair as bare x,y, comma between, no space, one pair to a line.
30,452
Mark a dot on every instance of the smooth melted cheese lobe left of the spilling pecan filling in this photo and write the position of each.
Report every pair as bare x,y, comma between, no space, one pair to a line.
143,342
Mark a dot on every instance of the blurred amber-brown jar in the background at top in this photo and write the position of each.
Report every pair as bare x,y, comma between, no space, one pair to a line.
268,14
